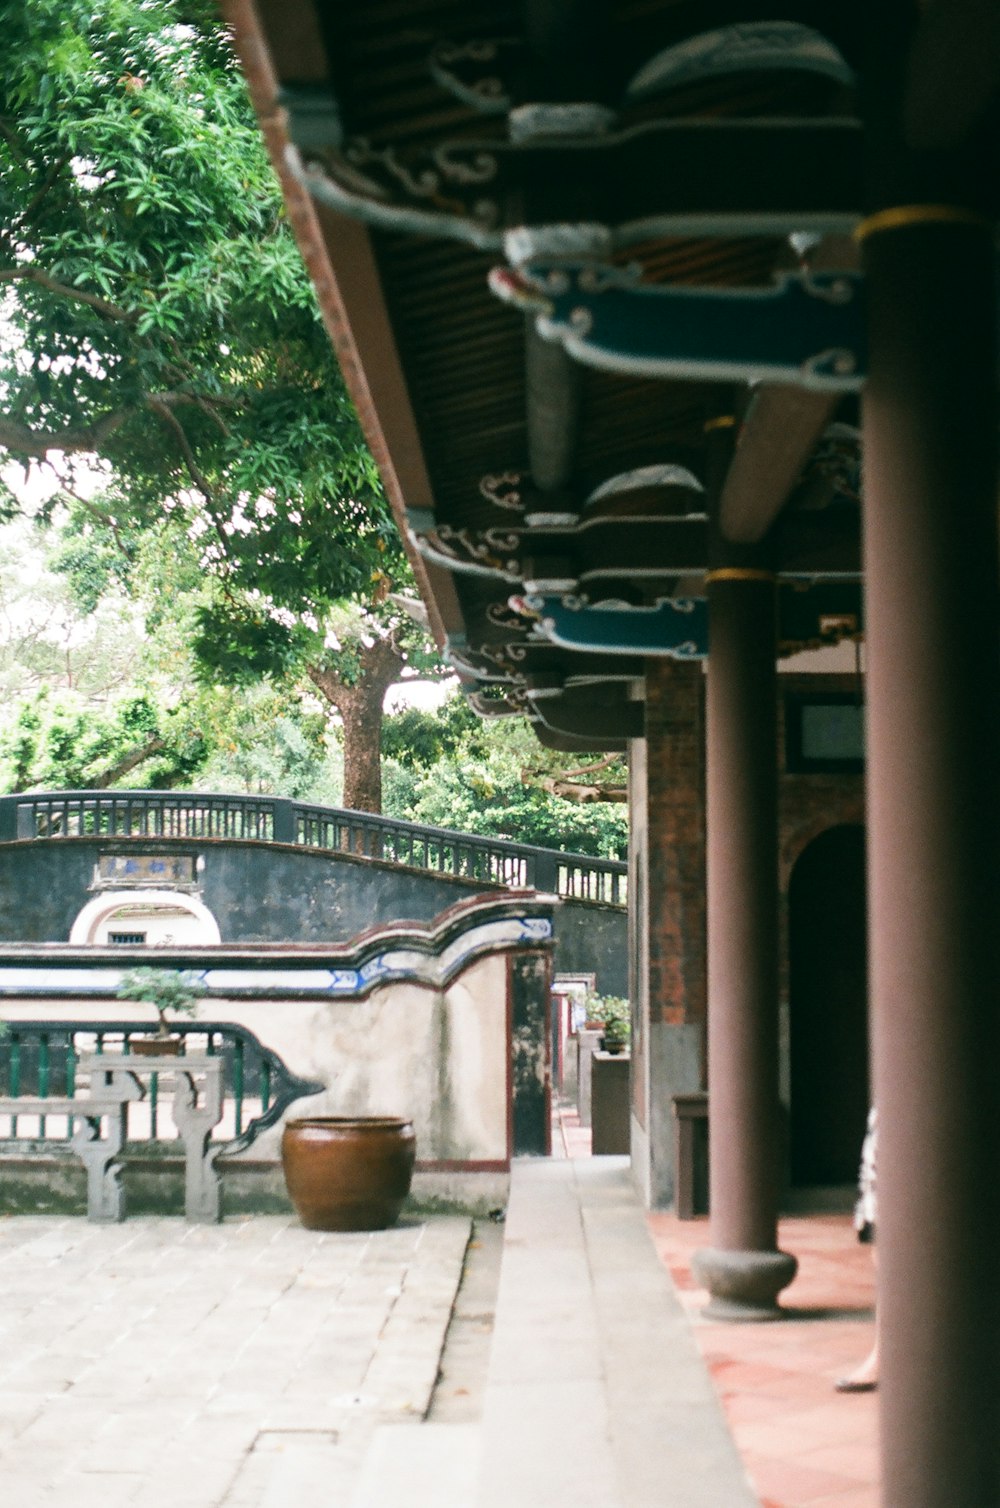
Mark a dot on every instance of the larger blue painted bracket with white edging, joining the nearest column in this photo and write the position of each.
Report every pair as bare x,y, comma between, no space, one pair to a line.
808,329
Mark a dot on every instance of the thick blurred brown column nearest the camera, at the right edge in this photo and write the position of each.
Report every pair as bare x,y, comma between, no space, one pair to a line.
934,845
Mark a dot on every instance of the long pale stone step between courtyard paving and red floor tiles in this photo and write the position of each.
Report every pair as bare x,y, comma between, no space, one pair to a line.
597,1396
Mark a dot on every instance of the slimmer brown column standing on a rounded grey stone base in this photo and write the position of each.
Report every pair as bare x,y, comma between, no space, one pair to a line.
743,1270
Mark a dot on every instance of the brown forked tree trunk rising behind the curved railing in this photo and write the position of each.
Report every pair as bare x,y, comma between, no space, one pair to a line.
361,714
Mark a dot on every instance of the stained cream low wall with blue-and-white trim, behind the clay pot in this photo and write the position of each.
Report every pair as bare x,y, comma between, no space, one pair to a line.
446,1025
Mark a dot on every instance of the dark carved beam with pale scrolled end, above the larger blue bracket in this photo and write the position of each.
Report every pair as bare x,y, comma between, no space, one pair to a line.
675,177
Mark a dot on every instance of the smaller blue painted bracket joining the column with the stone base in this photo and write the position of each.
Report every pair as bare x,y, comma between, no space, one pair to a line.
678,628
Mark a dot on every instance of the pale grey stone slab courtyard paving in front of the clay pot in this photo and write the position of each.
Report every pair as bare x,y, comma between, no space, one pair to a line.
212,1367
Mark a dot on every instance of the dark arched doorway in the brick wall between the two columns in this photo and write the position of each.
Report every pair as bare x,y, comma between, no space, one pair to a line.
829,1008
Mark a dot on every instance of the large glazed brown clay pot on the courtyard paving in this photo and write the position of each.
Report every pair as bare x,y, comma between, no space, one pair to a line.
349,1174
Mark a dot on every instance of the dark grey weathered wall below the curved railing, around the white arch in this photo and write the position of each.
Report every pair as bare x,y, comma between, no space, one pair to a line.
274,893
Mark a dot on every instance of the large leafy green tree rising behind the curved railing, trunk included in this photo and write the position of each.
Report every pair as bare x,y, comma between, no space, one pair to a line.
158,317
